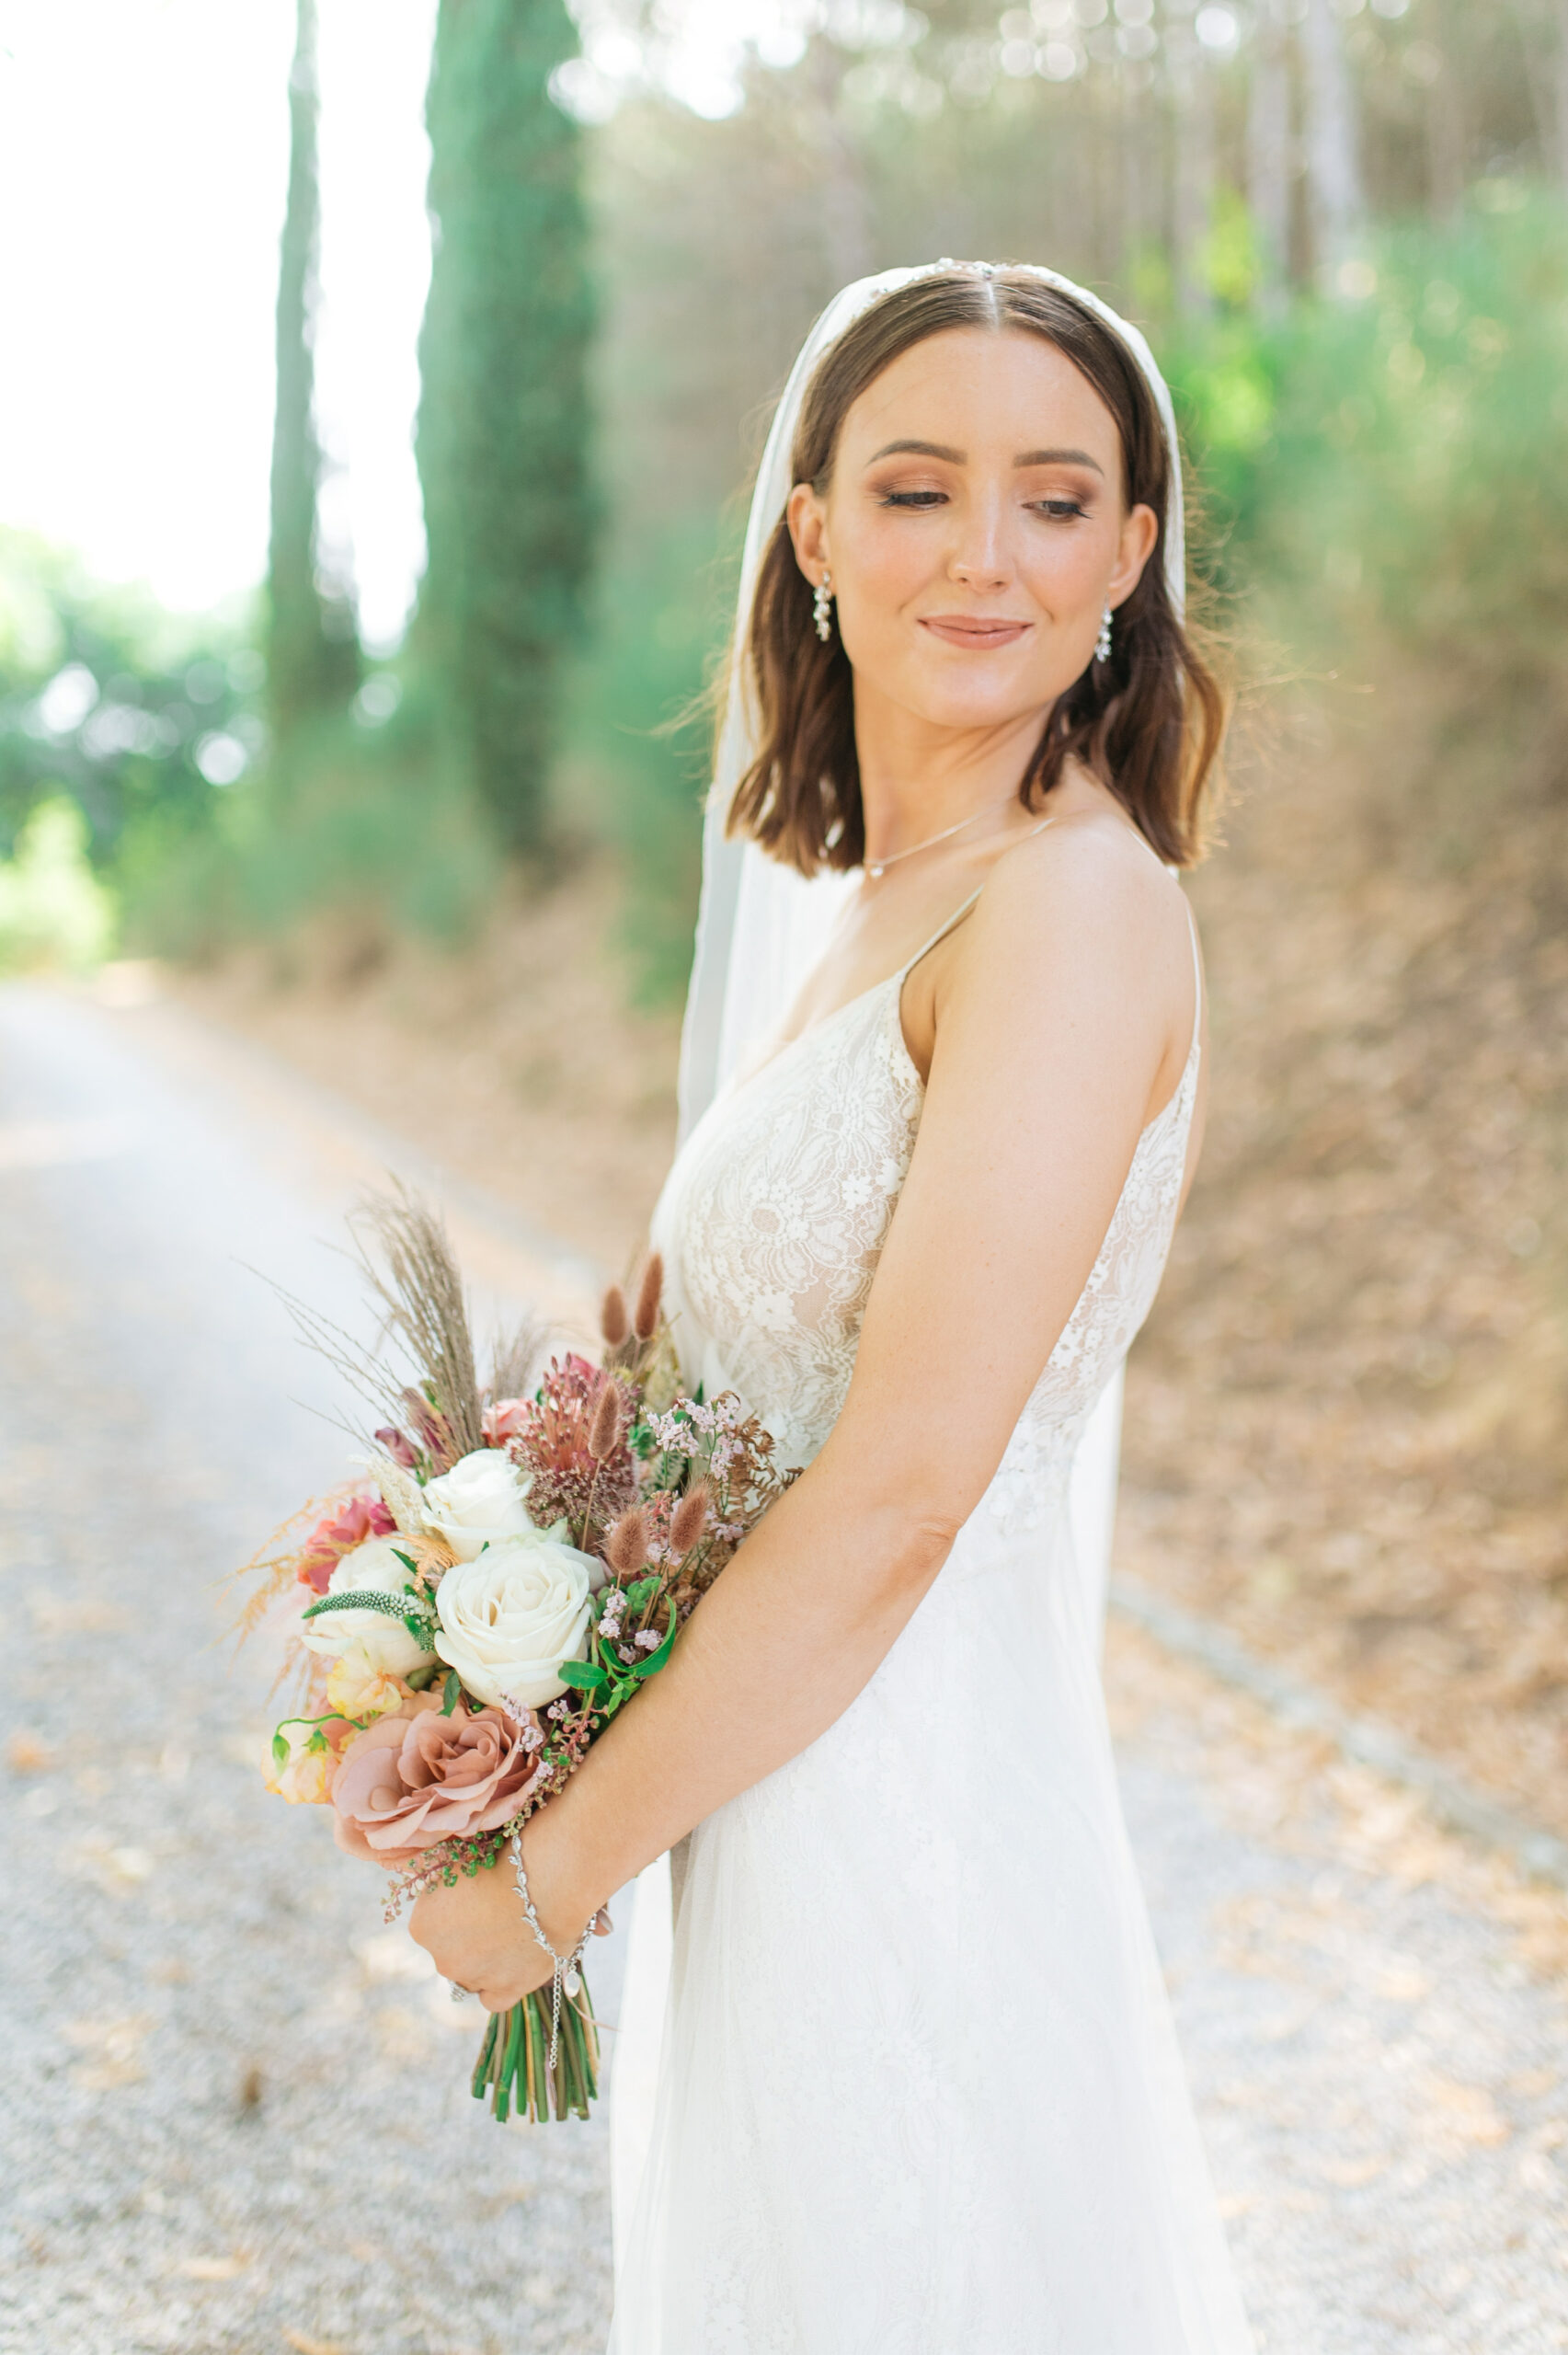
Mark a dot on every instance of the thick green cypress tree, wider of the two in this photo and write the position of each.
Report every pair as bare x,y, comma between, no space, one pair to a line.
505,416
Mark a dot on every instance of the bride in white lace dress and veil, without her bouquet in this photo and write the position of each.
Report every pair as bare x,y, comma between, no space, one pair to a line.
919,2090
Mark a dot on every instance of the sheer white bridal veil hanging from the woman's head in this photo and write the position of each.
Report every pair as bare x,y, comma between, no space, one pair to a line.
759,931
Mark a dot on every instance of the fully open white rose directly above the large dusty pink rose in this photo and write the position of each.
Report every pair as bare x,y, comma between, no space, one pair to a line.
514,1614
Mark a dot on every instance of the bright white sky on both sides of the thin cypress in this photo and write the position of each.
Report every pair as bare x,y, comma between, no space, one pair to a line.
142,178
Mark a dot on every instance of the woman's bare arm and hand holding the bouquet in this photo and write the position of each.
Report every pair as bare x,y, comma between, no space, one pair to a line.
1051,1033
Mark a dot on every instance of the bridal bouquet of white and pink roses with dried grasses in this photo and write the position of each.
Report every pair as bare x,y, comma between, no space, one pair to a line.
503,1574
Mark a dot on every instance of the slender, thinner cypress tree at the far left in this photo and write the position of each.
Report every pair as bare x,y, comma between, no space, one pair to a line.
312,656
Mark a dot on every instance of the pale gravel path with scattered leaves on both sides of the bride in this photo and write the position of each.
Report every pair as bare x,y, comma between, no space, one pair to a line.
237,2114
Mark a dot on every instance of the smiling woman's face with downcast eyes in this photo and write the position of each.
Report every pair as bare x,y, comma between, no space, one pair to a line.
974,529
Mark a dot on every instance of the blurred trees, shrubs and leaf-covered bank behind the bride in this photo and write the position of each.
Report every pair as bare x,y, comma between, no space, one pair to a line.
463,875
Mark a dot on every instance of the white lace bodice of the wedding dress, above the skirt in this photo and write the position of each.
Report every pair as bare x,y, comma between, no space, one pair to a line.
778,1207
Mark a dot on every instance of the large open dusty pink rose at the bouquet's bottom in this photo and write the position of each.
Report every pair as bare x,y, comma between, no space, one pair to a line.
418,1777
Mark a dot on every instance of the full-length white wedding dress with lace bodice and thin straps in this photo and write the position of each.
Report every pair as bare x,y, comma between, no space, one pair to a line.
919,2088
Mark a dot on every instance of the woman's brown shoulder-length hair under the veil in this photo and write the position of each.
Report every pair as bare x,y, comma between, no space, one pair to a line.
1148,724
